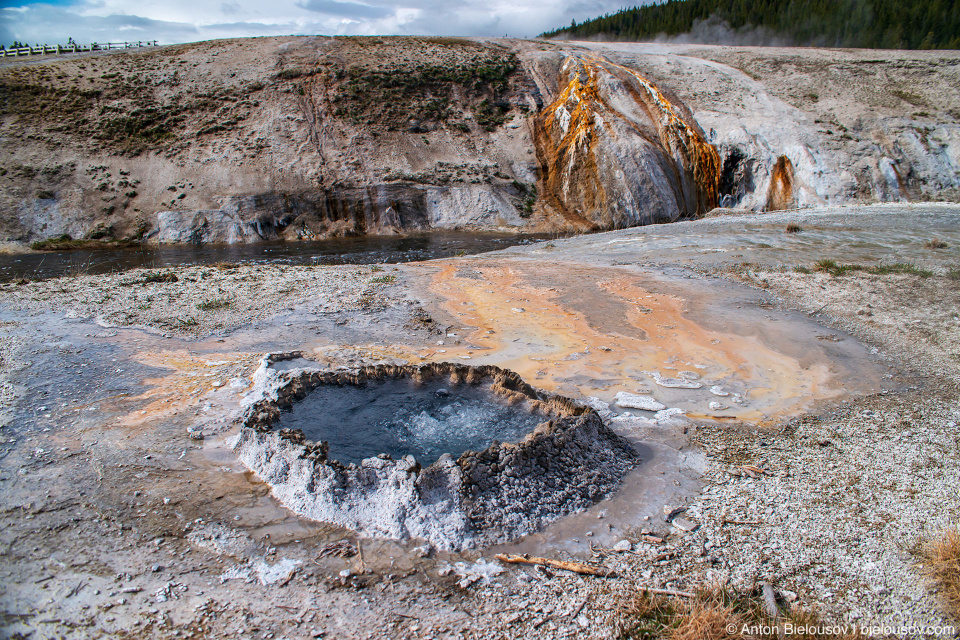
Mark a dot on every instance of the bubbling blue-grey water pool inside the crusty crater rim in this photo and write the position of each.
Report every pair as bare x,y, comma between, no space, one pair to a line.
401,418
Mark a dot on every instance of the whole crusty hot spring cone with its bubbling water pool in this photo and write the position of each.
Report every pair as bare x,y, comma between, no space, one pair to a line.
561,457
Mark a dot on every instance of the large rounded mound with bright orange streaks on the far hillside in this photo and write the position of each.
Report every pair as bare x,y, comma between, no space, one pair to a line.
615,152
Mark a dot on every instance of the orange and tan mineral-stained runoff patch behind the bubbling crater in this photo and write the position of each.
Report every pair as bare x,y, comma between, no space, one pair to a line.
589,331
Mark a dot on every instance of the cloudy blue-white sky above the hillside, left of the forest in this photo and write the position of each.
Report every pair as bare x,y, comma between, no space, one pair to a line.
170,21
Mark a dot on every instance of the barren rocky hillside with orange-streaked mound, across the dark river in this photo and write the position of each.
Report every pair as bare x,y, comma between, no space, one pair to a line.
311,137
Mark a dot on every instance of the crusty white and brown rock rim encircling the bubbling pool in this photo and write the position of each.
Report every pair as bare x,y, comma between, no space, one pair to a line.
567,463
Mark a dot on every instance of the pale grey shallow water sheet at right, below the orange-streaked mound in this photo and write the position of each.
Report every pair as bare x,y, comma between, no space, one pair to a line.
891,233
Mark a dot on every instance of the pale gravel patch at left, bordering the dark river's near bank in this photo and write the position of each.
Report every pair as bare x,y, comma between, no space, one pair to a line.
198,301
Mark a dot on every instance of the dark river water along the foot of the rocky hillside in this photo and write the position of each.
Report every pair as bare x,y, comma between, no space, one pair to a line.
361,250
